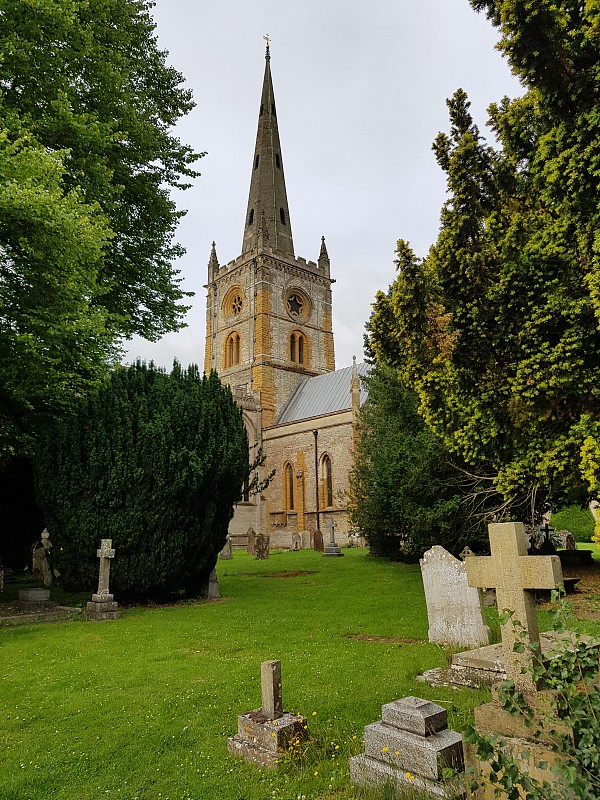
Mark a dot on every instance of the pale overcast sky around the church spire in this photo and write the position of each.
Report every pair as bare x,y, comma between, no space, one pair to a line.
360,90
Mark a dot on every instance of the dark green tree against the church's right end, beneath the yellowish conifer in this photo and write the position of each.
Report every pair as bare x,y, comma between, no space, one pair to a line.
406,495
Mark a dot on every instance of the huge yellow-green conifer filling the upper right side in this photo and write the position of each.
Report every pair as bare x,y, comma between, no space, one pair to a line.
503,346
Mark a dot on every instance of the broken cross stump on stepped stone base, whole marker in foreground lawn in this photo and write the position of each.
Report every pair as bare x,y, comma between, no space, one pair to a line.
265,733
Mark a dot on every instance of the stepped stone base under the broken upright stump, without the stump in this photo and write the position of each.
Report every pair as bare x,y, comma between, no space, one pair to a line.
261,740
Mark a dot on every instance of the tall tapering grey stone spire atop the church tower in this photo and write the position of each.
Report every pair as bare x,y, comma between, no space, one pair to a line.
267,217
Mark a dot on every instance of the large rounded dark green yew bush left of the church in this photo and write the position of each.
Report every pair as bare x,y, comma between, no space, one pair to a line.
155,462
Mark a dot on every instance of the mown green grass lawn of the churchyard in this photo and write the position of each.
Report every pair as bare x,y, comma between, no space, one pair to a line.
141,708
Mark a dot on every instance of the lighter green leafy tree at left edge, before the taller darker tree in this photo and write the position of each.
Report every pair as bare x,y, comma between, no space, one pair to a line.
54,341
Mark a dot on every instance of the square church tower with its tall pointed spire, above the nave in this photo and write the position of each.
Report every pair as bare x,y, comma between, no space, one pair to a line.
268,313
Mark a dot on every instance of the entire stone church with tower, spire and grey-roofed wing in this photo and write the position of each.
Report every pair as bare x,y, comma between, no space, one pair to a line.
269,337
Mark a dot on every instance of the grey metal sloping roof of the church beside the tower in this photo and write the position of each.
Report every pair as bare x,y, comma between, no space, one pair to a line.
323,394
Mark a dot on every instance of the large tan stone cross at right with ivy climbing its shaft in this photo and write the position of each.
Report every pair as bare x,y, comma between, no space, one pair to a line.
514,575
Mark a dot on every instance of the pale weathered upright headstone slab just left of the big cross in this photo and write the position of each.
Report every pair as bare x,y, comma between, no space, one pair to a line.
453,607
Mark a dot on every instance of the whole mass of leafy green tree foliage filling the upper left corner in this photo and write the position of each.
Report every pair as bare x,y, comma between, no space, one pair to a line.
87,161
